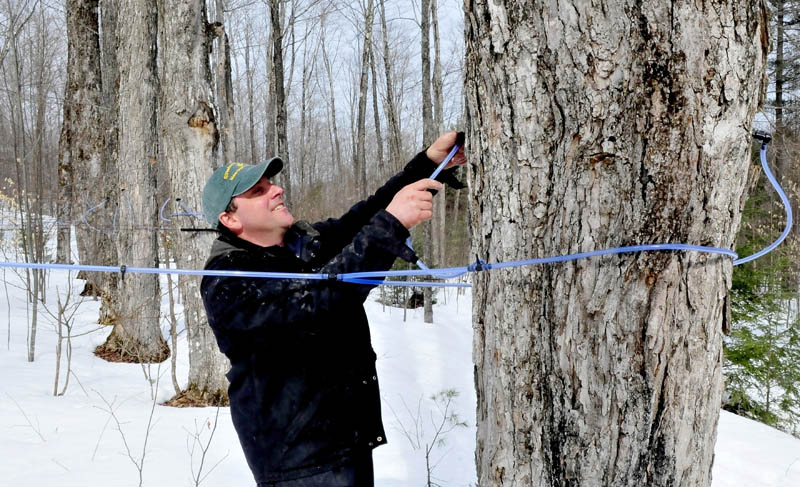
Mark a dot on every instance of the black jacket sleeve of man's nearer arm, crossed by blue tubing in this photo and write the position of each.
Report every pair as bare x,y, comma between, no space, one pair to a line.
247,310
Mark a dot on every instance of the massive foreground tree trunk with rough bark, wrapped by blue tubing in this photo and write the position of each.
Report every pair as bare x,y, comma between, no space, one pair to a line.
594,128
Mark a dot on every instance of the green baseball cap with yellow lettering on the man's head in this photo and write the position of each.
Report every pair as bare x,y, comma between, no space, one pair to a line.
232,180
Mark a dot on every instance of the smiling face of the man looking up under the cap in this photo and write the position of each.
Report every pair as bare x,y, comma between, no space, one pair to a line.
260,216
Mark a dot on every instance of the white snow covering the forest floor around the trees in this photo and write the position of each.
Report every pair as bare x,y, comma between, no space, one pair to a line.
73,440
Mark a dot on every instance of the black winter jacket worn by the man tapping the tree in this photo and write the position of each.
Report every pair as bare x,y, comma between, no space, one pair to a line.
303,387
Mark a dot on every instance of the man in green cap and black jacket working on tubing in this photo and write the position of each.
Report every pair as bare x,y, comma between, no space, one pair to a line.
303,388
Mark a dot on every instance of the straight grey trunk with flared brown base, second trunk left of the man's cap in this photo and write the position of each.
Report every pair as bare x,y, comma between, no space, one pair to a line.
137,332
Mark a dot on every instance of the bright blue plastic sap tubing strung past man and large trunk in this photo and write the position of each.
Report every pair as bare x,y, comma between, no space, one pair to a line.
375,278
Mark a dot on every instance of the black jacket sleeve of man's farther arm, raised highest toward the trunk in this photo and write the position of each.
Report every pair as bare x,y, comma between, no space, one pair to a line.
337,232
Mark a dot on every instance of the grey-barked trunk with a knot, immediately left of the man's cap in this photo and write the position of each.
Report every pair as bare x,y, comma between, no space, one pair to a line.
189,136
